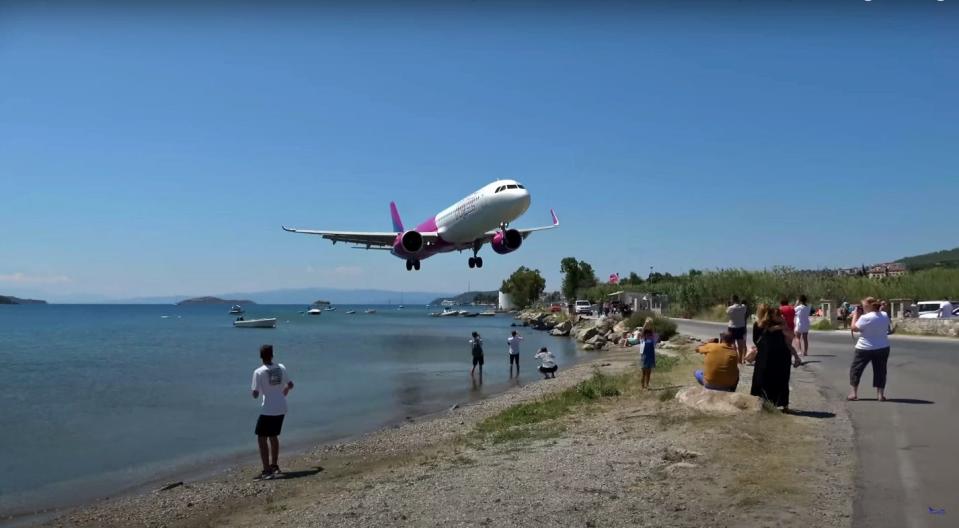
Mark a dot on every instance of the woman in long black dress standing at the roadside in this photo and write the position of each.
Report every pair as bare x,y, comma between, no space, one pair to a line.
771,375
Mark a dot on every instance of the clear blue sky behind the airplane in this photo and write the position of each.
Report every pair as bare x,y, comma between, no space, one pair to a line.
154,151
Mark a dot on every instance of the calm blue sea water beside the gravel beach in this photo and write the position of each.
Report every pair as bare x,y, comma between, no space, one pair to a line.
99,398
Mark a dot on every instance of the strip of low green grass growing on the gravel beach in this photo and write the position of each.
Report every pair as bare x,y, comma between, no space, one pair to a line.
526,421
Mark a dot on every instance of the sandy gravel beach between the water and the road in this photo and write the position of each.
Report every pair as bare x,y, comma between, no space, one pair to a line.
640,458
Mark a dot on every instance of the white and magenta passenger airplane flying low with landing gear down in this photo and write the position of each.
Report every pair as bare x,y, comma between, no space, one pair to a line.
483,217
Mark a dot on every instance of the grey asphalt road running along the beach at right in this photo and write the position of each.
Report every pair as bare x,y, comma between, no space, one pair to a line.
908,447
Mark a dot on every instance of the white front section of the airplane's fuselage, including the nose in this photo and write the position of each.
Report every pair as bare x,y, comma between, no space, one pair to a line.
486,209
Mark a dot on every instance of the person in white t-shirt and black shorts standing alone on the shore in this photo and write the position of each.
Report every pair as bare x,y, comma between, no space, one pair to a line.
272,383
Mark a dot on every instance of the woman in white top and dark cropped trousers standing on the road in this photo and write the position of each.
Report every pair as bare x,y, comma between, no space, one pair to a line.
872,347
